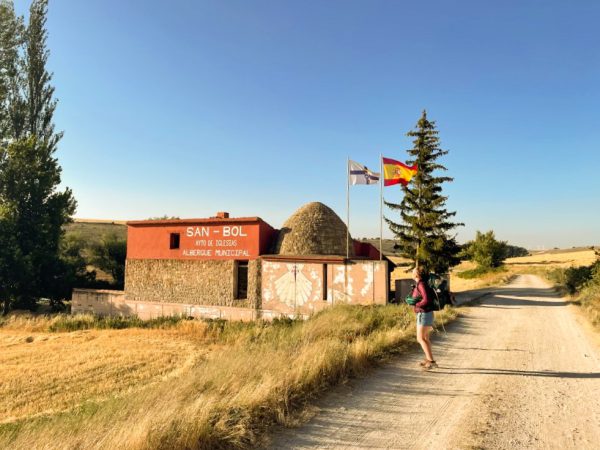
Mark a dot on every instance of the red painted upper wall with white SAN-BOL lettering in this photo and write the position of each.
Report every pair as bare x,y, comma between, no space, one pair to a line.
205,239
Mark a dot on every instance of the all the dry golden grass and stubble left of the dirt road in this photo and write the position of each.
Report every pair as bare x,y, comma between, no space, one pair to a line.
186,383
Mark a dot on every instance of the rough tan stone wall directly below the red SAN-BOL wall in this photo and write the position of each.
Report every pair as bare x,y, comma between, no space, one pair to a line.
189,282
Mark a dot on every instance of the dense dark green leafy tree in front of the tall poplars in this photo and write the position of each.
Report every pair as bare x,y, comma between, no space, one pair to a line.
29,176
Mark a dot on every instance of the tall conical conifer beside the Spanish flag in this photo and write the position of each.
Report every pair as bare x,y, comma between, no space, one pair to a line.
423,234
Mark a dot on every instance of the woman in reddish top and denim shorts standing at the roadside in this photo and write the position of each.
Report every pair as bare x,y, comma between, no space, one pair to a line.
424,310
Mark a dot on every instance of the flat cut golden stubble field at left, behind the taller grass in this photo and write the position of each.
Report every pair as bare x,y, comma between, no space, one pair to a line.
42,373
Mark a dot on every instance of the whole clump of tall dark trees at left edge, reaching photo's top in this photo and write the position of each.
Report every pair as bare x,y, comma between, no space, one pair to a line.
32,209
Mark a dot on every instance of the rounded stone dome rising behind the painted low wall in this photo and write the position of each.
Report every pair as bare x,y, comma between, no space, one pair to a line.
314,229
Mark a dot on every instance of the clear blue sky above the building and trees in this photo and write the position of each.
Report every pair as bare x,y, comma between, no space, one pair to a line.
189,107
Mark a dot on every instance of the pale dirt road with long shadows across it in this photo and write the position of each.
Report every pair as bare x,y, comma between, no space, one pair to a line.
517,371
